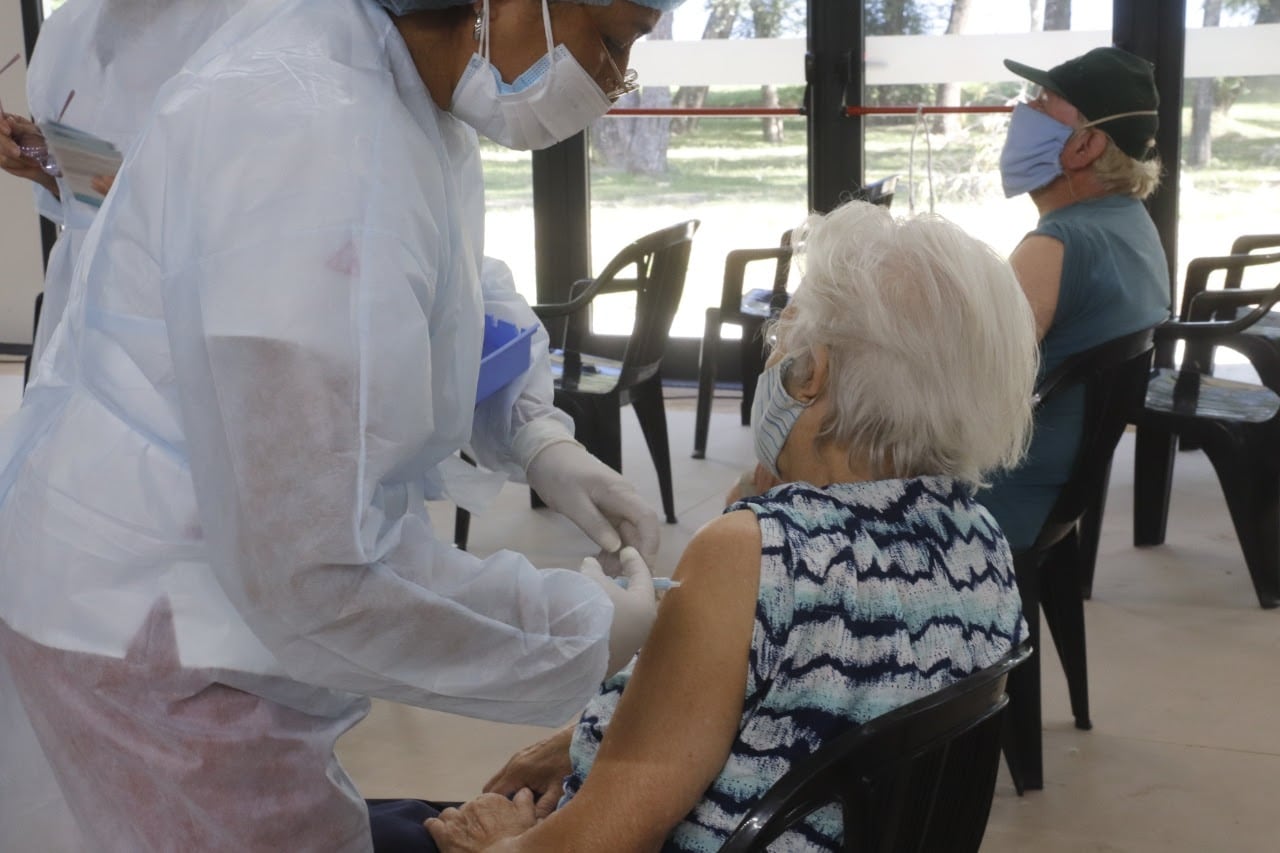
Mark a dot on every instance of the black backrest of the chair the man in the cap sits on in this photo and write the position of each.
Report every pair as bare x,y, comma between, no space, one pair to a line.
1114,376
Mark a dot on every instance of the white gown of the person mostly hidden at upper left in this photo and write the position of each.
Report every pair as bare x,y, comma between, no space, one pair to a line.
115,54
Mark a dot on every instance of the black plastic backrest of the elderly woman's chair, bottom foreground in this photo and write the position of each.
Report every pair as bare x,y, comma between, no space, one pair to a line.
920,778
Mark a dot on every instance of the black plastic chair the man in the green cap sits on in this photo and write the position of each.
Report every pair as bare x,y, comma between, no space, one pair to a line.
1050,573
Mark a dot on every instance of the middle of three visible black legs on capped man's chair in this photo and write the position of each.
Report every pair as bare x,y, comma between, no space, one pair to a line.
1064,614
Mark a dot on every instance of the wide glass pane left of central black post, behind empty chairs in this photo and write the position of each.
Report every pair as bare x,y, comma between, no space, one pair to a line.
744,177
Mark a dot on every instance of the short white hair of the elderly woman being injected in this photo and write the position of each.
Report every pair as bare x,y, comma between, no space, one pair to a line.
932,345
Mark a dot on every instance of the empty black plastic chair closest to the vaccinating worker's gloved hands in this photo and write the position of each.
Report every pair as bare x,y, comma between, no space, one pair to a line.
593,389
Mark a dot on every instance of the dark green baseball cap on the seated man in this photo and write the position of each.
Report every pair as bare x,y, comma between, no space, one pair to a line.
1103,84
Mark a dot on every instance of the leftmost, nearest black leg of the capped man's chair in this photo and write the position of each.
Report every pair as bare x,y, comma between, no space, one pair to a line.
1022,736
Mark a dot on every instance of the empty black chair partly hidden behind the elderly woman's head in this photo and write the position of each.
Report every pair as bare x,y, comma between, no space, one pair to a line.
751,311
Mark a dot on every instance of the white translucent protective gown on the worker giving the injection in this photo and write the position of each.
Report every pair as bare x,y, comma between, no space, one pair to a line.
271,348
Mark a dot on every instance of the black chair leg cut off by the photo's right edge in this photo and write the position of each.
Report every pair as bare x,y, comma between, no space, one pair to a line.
1252,491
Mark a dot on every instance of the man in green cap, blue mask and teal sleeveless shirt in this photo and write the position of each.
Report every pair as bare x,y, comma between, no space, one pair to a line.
1094,268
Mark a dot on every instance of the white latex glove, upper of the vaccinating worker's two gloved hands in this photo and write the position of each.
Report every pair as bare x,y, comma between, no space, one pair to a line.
595,498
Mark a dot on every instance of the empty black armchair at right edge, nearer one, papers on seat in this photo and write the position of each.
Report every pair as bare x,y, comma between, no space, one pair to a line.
1235,423
